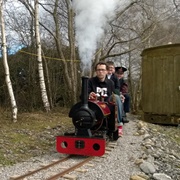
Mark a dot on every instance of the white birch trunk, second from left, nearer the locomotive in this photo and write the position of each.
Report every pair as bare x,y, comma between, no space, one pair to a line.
40,64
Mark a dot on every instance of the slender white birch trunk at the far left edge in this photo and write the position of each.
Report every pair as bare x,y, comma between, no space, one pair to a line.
6,67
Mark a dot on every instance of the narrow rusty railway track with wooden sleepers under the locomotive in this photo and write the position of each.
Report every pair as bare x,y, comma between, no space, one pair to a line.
60,169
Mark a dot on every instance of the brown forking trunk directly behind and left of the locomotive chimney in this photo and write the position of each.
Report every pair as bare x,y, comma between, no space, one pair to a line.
70,66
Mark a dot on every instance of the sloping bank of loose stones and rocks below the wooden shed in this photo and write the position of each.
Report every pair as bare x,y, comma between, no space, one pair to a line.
161,153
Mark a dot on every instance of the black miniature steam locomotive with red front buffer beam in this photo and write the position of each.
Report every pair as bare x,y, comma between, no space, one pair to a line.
95,123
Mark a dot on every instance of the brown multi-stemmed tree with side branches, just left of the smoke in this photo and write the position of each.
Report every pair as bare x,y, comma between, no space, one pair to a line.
69,66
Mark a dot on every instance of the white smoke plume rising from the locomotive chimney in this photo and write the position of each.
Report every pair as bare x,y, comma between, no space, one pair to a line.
90,20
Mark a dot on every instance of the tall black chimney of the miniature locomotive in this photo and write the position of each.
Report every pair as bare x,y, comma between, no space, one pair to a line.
84,91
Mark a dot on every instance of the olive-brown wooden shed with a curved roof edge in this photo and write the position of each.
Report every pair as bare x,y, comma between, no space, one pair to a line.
161,84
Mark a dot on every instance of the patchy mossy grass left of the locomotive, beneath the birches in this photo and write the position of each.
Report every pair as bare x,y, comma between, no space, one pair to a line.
32,135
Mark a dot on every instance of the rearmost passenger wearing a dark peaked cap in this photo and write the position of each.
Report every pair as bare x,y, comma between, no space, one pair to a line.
119,71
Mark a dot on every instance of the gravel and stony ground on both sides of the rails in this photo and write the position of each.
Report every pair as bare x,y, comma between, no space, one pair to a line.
139,155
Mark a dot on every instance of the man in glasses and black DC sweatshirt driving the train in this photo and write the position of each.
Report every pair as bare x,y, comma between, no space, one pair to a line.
101,85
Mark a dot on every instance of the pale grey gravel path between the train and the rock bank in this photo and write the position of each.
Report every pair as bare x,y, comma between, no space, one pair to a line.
119,165
